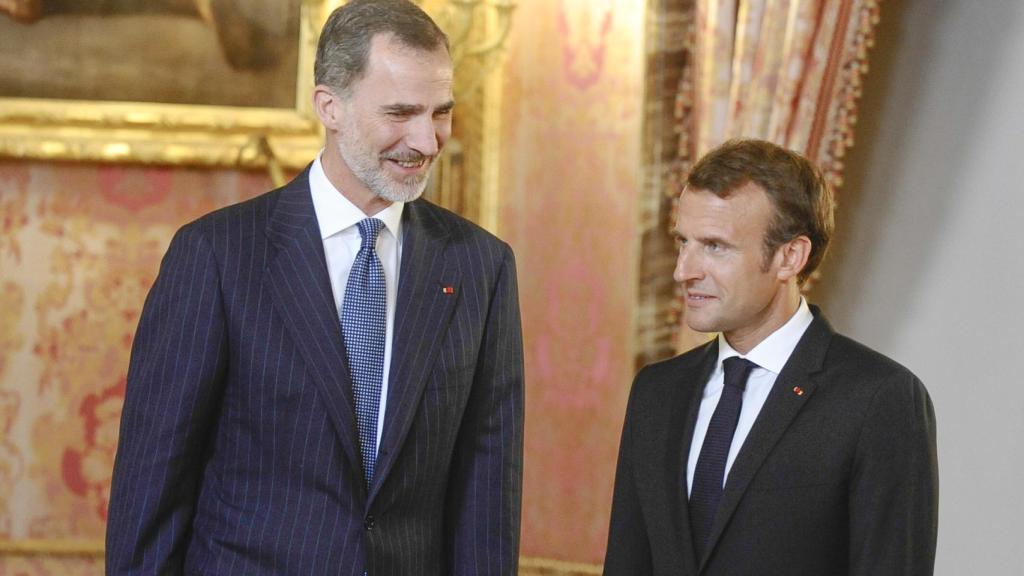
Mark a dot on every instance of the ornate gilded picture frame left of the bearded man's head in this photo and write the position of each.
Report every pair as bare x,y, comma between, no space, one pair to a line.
183,135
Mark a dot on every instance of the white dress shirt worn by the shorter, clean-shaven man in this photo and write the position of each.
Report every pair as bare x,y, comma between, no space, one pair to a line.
771,356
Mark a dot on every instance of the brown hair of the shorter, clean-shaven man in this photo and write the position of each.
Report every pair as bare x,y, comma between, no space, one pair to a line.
802,198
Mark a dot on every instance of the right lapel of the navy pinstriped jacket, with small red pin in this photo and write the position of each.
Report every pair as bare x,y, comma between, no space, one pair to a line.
422,314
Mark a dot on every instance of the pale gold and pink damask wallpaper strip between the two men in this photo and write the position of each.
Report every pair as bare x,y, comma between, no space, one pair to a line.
570,196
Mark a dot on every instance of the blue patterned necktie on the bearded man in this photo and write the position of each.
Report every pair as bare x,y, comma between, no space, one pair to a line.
364,318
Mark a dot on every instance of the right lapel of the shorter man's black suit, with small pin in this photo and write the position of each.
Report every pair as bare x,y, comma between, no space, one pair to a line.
779,413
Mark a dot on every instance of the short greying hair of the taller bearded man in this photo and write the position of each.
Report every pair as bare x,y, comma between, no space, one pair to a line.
344,50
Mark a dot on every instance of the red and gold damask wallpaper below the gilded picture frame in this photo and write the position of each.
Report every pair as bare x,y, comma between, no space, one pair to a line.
80,246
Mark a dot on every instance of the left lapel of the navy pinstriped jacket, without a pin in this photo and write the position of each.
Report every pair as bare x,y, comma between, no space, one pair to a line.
301,286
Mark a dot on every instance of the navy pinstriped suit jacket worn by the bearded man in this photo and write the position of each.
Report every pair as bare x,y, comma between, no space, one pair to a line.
239,452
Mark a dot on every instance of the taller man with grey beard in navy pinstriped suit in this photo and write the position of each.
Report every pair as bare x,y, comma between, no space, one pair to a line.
328,379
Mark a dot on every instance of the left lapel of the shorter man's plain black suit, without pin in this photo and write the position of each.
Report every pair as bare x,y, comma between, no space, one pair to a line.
680,438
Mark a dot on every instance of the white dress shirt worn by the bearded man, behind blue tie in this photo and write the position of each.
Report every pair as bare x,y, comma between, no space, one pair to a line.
338,218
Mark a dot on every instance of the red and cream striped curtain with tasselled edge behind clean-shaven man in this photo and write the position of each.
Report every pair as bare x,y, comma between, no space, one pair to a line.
786,71
